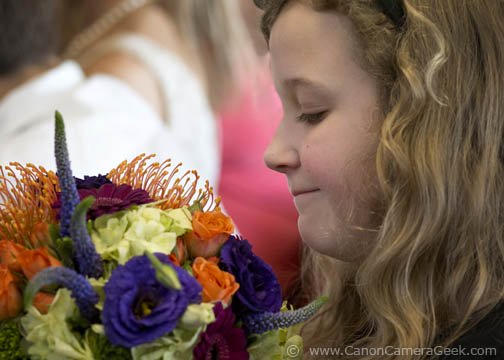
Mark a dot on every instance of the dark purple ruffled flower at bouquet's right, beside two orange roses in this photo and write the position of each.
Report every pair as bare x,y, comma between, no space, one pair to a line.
259,288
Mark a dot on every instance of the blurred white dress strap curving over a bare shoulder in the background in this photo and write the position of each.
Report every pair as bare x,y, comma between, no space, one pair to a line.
186,109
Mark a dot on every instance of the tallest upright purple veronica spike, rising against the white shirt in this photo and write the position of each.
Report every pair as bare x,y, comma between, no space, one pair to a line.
69,194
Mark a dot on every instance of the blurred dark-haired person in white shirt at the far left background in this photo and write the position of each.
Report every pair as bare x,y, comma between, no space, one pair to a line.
107,121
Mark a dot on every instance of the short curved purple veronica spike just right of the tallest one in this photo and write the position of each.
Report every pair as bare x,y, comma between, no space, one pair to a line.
88,261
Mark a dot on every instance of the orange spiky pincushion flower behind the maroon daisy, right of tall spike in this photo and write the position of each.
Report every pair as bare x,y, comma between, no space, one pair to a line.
160,181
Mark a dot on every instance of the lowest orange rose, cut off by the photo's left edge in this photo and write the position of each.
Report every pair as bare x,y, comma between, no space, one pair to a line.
10,296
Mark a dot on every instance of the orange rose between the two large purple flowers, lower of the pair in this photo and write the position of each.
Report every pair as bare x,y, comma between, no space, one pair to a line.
217,285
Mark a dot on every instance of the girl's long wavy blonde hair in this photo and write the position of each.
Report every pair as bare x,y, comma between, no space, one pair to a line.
438,264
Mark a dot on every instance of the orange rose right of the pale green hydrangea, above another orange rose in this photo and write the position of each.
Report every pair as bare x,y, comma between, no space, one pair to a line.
210,231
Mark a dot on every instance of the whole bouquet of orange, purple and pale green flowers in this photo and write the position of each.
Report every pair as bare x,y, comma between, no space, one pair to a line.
137,264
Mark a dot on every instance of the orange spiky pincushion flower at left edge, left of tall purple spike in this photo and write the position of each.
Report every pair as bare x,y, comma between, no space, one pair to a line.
26,197
